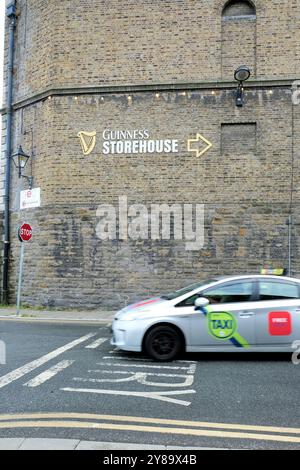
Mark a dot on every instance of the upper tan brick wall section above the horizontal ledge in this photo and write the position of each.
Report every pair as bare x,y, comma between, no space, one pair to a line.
62,43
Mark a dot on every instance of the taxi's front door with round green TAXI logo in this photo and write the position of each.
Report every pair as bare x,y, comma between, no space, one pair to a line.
228,321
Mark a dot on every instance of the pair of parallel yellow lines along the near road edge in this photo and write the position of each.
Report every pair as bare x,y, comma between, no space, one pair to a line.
150,425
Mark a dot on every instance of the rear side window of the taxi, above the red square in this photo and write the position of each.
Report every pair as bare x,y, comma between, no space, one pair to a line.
274,290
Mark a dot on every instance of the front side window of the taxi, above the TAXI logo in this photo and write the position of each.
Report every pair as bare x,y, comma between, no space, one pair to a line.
236,292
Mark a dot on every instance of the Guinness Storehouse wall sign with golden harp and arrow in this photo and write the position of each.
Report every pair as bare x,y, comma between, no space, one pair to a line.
140,141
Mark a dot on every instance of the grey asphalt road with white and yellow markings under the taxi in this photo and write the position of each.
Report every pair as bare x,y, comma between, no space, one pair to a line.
70,383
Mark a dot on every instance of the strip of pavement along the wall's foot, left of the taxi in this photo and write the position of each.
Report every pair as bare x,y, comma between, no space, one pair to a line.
101,316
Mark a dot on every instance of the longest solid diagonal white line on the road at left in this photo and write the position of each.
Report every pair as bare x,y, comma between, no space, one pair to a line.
21,371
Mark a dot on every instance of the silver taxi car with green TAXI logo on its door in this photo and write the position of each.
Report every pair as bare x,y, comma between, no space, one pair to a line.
259,313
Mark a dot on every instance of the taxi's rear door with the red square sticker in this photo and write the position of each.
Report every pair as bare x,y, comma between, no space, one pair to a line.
277,321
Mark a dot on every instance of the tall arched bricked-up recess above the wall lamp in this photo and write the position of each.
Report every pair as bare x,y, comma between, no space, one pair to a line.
238,36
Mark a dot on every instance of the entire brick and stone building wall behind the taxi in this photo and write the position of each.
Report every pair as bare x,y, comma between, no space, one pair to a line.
165,68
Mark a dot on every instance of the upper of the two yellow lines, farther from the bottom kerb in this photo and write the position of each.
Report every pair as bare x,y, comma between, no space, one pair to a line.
144,420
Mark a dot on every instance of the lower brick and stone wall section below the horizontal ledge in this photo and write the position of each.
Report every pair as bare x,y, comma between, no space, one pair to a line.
245,191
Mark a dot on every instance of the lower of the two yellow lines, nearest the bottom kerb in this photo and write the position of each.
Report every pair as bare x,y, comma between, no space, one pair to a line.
148,429
